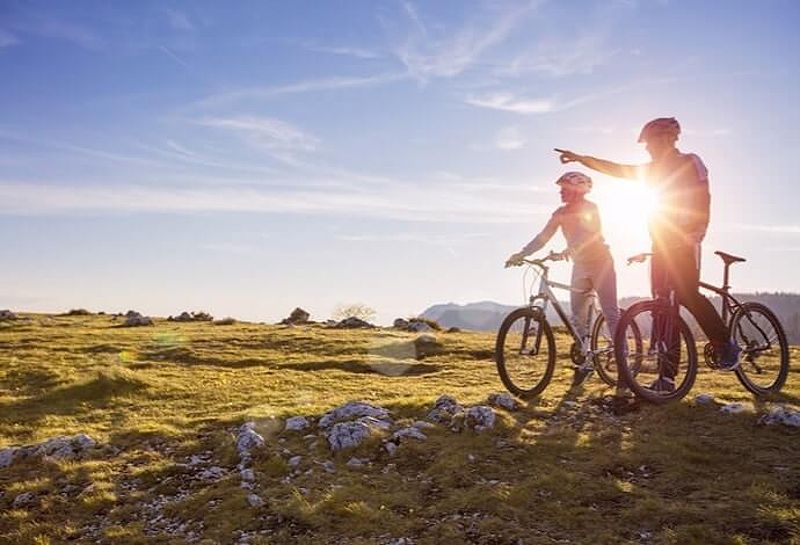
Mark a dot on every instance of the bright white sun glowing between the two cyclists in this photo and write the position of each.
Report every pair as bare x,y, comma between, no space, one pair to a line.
625,209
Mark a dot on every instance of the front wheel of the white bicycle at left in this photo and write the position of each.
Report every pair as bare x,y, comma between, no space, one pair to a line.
525,352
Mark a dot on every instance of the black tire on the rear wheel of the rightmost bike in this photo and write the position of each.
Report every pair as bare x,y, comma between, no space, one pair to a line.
744,317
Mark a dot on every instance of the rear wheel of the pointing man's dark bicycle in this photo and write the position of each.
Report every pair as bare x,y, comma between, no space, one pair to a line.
765,352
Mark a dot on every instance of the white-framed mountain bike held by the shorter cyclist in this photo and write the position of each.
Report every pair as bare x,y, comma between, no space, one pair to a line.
525,349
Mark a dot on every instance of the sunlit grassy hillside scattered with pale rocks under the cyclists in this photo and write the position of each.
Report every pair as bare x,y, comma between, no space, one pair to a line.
165,400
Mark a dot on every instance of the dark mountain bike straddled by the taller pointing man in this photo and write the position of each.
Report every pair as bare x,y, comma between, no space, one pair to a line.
671,350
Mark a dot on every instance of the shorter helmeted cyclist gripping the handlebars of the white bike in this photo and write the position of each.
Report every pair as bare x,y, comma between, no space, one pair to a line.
593,267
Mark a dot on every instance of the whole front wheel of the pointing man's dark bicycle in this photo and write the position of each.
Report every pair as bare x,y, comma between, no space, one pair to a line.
667,351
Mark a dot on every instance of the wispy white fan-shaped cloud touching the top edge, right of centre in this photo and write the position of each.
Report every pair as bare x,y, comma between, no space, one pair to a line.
452,52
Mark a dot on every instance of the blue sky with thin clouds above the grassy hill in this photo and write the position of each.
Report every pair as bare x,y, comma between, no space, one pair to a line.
251,158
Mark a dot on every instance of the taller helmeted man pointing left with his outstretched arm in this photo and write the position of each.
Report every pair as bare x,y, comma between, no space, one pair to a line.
676,229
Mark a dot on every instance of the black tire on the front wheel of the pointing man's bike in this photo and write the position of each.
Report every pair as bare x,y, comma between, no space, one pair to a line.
629,375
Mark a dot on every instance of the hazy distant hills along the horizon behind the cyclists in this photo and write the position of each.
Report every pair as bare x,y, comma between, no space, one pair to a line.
487,315
